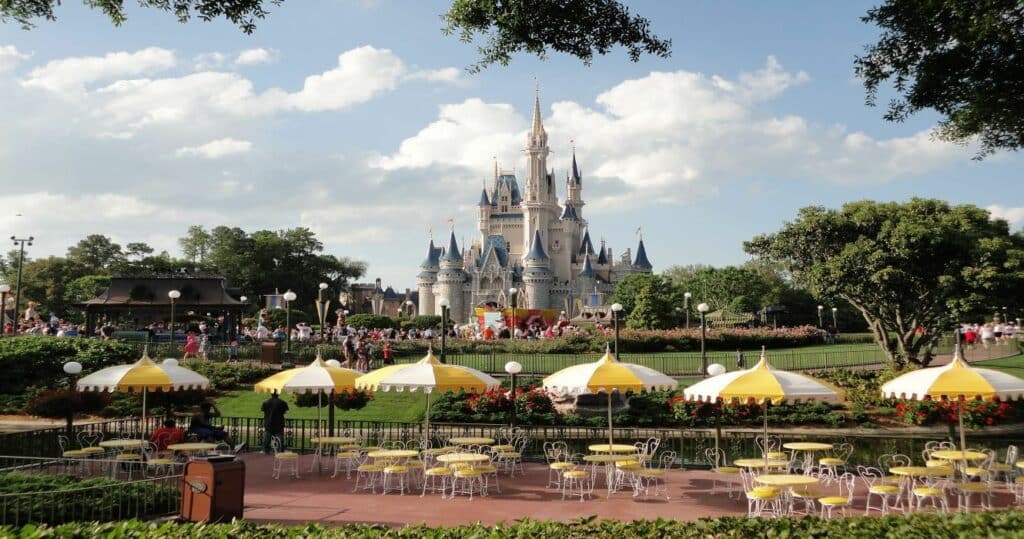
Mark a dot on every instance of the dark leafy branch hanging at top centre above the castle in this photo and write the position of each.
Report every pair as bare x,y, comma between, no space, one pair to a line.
580,28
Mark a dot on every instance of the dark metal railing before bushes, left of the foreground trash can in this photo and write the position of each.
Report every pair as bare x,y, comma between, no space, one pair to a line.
94,502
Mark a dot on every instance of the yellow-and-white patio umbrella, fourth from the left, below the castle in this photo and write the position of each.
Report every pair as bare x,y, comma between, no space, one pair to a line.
608,375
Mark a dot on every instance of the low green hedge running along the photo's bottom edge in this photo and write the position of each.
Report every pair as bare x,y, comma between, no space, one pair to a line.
990,524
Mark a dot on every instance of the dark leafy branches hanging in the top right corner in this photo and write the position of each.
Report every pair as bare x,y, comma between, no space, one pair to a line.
961,58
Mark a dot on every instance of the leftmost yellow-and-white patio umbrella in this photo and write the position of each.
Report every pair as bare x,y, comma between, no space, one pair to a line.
144,376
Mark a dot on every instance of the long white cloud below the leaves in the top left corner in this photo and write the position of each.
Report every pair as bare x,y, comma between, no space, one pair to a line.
67,75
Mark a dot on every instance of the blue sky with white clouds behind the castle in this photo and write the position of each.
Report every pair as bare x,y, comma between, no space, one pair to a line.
359,119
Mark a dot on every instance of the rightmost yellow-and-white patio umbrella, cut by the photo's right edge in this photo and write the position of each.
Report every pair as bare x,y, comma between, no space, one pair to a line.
956,382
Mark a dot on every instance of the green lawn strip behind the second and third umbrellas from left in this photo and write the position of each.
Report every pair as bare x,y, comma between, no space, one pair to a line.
387,406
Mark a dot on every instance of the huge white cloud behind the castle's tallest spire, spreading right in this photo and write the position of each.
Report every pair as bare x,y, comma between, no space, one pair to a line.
671,137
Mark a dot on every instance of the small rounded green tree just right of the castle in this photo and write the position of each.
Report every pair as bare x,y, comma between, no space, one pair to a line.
636,291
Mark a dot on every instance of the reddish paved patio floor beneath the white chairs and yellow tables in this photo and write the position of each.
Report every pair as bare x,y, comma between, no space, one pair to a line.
319,499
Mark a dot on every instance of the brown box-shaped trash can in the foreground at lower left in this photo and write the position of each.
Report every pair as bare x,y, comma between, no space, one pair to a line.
214,490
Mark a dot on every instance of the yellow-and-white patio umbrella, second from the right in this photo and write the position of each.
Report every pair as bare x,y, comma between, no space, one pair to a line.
762,384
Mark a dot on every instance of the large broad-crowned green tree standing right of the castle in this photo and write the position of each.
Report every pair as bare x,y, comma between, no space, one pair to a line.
912,270
